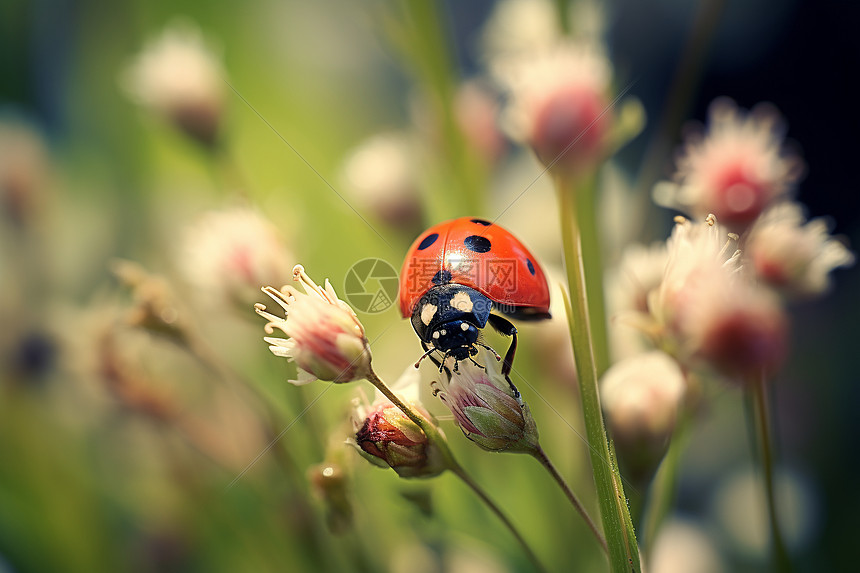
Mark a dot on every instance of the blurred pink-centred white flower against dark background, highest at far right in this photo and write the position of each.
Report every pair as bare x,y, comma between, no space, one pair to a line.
735,169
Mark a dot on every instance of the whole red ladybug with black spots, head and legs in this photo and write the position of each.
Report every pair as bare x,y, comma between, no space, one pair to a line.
462,274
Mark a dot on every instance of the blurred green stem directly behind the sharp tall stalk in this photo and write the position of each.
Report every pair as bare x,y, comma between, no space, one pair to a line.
592,257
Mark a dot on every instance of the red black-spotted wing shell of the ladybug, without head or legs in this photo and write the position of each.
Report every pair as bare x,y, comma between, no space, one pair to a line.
478,254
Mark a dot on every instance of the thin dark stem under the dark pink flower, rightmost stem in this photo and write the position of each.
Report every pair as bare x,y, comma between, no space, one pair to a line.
781,560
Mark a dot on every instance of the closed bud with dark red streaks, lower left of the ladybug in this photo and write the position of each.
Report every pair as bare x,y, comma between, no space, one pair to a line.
388,438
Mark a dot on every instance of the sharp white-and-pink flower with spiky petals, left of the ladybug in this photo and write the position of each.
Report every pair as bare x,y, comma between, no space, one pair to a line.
327,341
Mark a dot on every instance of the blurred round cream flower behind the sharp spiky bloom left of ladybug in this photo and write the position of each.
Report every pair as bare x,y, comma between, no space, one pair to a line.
226,255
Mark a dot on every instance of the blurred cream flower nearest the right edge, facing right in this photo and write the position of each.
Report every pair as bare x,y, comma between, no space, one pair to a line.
793,257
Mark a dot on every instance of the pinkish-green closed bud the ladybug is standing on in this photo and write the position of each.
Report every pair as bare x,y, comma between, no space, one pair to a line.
488,408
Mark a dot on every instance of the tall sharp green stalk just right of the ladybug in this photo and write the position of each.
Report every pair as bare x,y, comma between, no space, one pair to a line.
617,526
